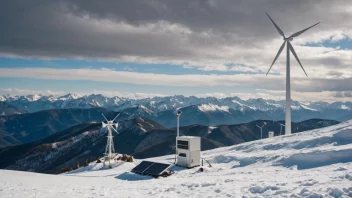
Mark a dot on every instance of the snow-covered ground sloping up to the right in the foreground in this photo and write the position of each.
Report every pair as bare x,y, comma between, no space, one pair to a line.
312,164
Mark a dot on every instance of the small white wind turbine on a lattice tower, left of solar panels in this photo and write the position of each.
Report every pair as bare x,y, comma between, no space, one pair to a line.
110,150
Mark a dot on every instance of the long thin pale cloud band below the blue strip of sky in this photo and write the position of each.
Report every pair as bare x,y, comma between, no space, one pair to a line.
254,81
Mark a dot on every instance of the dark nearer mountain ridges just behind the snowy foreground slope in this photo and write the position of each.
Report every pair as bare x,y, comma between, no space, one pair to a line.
140,137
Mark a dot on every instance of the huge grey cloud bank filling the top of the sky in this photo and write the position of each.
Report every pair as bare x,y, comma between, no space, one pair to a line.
201,34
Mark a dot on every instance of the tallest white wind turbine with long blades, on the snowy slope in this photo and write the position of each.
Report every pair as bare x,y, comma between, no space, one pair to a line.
288,76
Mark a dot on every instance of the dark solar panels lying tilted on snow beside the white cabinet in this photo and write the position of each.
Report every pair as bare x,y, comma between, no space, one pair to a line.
151,168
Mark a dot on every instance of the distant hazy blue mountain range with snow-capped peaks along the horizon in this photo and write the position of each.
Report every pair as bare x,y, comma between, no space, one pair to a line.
206,111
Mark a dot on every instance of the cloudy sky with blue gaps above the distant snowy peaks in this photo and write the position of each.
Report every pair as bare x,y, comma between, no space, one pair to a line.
166,47
